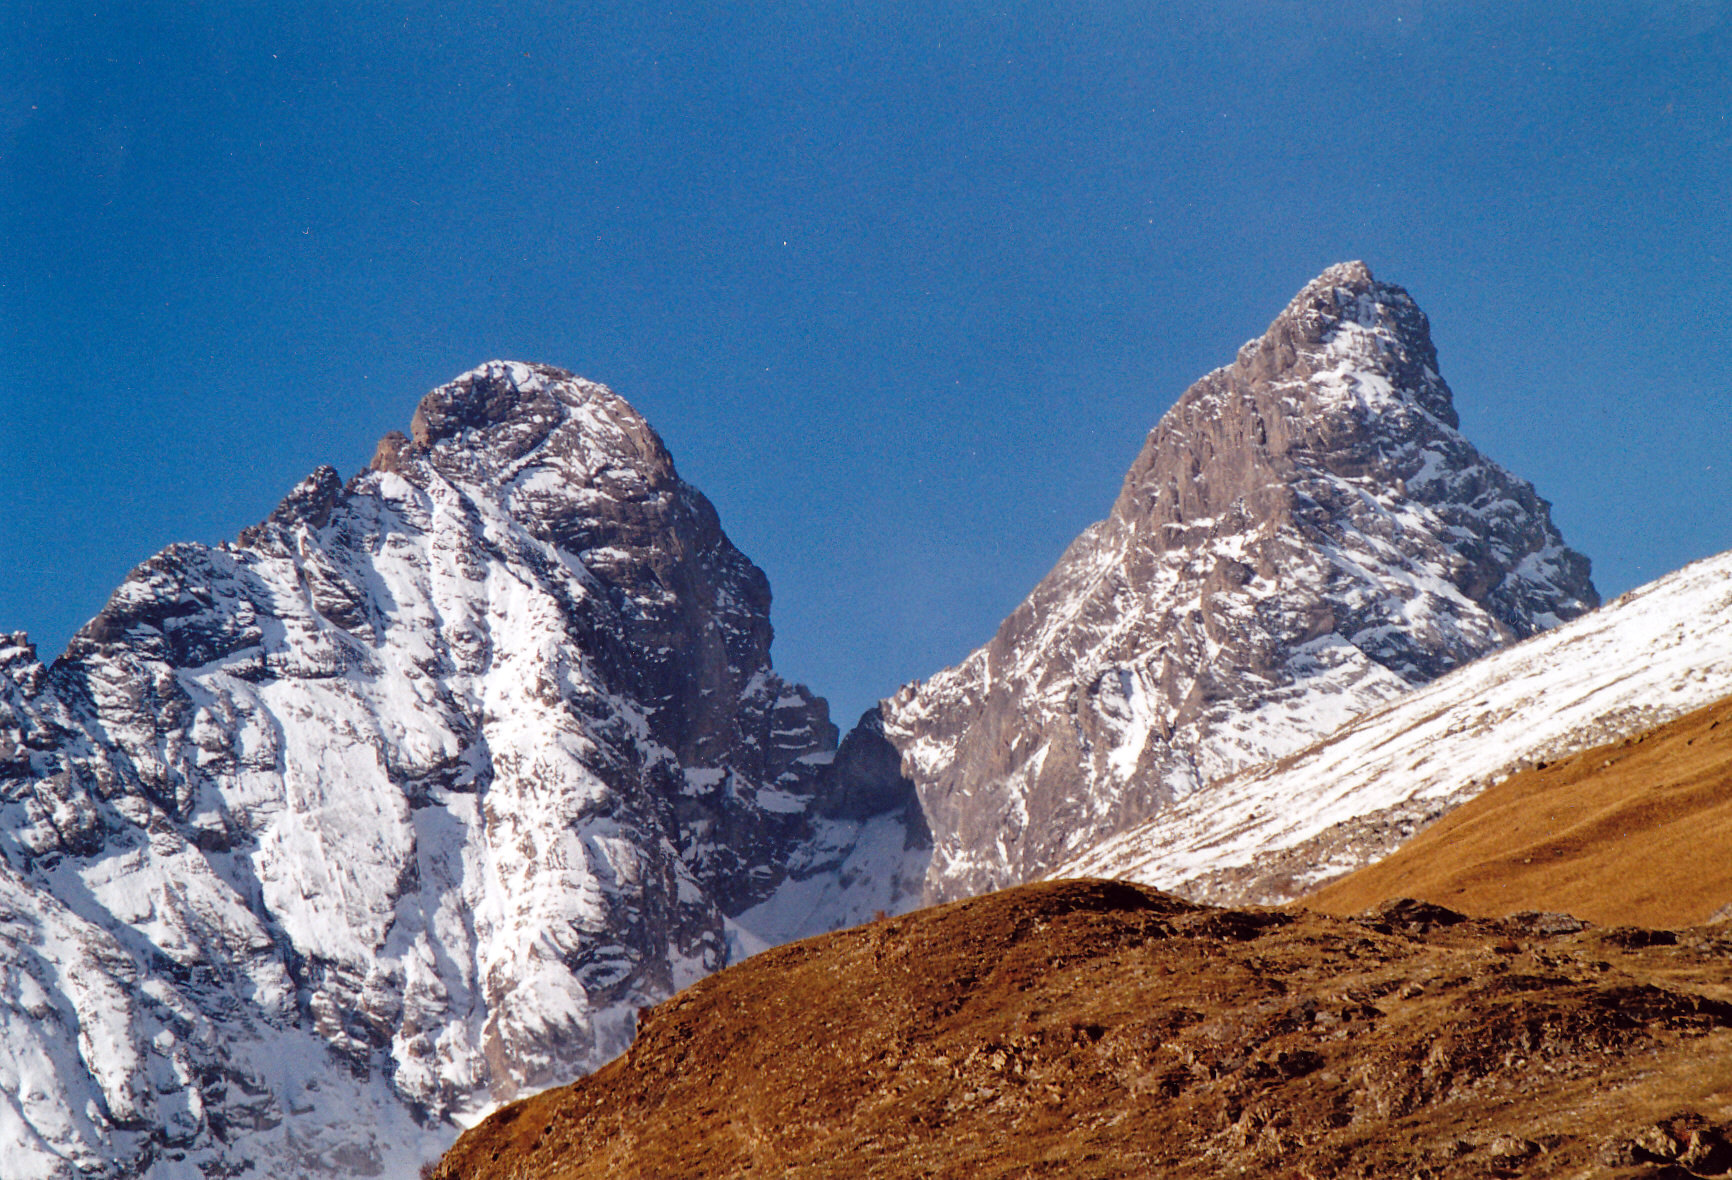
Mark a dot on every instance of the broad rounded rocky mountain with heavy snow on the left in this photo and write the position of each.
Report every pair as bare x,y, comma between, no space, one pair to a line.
318,845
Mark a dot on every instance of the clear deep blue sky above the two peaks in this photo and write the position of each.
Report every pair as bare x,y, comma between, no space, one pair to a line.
902,285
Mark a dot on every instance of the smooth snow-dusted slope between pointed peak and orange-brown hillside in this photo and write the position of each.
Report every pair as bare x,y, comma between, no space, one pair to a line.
1279,831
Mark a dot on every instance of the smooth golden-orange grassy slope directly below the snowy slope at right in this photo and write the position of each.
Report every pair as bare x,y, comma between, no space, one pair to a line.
1631,833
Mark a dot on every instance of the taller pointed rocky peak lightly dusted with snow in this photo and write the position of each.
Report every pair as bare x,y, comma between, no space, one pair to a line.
1305,536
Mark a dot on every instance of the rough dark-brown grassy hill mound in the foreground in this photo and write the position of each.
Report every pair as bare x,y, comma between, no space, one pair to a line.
1108,1030
